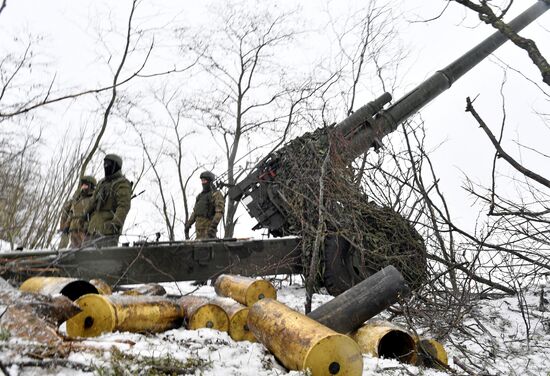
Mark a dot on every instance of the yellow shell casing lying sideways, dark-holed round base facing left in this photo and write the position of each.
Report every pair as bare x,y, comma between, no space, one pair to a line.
138,314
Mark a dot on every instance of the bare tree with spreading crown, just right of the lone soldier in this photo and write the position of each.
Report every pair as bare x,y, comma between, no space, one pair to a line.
249,99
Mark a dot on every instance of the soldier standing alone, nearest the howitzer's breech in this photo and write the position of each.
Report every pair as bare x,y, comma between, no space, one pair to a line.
208,210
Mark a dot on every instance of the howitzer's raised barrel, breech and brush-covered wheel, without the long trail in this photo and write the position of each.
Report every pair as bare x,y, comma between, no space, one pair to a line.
352,252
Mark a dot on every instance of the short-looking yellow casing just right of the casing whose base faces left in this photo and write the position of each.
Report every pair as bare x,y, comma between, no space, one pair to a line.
201,313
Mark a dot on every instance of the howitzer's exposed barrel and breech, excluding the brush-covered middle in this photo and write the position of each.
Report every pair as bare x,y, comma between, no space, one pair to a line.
366,127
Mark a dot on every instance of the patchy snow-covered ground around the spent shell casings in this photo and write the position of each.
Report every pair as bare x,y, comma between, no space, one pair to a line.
500,348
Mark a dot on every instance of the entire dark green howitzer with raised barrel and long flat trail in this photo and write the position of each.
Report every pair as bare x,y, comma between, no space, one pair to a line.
265,199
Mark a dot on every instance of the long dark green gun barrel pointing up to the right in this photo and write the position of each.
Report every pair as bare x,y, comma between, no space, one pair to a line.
387,121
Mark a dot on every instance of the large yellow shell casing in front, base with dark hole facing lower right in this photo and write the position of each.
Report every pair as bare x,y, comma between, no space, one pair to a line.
302,343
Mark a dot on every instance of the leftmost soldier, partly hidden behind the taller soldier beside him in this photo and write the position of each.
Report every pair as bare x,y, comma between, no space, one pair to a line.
73,217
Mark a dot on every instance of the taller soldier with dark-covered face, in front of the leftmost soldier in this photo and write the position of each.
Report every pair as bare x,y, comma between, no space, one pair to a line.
110,204
